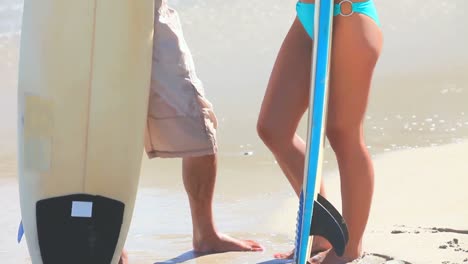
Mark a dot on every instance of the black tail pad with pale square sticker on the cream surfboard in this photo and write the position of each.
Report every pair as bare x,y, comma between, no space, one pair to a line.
78,228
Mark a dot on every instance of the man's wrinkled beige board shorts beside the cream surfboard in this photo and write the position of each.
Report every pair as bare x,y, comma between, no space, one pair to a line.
181,121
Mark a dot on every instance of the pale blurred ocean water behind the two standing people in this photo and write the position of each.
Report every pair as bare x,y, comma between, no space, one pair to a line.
419,90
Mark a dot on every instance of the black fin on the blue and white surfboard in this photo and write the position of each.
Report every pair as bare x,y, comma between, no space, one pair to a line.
327,222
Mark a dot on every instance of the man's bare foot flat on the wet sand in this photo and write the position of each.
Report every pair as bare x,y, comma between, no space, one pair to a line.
223,243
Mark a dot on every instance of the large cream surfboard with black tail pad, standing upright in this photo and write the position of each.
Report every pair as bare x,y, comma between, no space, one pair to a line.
83,90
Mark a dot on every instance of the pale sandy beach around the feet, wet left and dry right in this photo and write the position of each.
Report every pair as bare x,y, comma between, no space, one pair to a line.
418,214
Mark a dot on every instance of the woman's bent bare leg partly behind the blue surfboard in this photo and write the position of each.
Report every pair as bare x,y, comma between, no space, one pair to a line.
286,100
